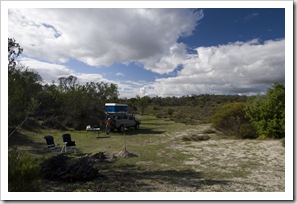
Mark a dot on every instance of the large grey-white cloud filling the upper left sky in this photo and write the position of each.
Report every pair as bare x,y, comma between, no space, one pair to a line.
101,37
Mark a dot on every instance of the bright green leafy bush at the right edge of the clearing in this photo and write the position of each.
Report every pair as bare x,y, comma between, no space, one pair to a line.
267,113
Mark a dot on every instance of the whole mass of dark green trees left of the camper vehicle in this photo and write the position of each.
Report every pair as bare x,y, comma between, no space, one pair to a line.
66,104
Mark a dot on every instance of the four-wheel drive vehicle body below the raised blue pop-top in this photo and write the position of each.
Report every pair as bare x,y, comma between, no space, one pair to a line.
120,121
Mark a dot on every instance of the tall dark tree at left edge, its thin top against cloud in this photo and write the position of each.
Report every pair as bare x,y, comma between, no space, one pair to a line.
23,87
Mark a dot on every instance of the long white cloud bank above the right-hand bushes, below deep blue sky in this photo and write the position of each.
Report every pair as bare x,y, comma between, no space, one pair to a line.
235,68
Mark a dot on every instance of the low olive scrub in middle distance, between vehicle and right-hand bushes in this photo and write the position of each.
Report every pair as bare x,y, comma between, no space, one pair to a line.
194,109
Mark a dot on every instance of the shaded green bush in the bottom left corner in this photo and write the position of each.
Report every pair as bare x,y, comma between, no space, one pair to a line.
23,172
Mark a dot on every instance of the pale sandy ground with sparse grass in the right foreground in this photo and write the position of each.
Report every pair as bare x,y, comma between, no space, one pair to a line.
231,165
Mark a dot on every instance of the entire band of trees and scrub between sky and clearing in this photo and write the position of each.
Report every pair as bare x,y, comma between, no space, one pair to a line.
67,104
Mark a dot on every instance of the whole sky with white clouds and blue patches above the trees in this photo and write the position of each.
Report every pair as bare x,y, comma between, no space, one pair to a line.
155,52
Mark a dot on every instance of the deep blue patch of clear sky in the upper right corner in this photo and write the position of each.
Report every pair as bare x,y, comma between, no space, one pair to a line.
221,26
